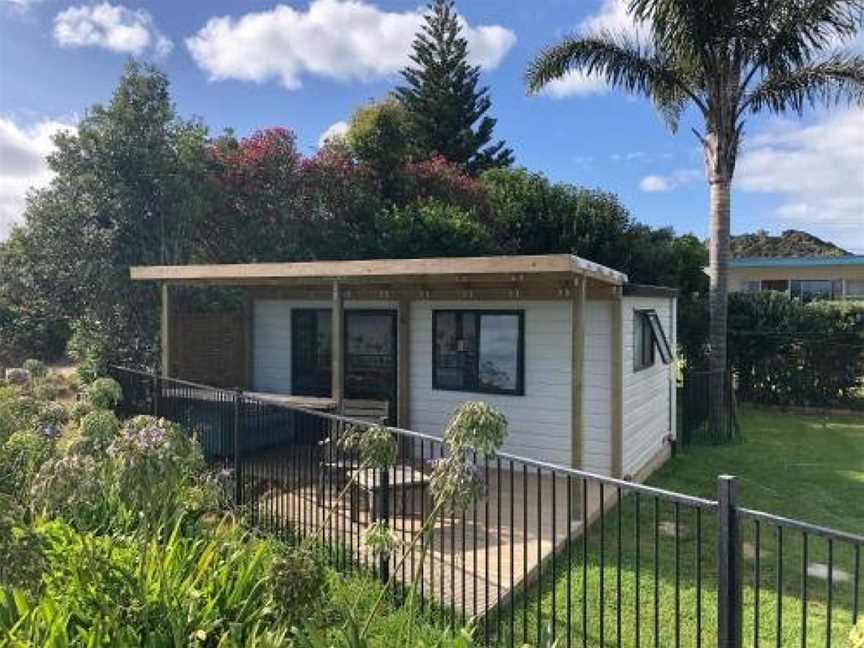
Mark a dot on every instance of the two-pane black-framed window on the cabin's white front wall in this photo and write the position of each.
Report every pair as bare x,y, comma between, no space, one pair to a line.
478,351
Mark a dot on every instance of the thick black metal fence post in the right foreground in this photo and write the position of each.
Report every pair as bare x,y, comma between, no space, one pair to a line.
728,575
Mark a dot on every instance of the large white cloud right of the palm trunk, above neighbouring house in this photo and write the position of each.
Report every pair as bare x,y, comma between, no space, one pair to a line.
817,169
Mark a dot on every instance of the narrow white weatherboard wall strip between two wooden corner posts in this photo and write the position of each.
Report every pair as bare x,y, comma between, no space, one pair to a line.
597,395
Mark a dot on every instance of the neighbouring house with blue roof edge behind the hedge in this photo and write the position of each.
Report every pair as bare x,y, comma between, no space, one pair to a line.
837,277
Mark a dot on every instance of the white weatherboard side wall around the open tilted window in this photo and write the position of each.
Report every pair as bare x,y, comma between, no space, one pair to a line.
649,394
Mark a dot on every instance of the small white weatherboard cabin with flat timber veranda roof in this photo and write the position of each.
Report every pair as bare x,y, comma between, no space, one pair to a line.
578,359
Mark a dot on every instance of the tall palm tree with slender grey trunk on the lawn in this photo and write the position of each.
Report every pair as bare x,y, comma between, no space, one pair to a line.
728,59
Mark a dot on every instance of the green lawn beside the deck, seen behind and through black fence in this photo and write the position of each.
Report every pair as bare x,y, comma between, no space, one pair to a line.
802,467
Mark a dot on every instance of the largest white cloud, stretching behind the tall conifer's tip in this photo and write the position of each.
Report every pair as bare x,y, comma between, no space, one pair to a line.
335,39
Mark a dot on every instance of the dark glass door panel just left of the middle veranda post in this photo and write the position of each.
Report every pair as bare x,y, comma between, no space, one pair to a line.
311,335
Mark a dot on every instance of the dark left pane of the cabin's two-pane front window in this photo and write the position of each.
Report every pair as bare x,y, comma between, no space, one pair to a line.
455,350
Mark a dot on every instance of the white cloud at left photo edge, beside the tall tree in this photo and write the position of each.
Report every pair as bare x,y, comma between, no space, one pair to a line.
22,165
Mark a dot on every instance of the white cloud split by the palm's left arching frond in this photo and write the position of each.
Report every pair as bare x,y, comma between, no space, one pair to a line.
612,17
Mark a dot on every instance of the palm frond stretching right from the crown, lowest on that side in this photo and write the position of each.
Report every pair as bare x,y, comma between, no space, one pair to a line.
838,78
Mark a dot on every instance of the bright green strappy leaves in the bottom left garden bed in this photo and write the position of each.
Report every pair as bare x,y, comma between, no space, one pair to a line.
115,591
